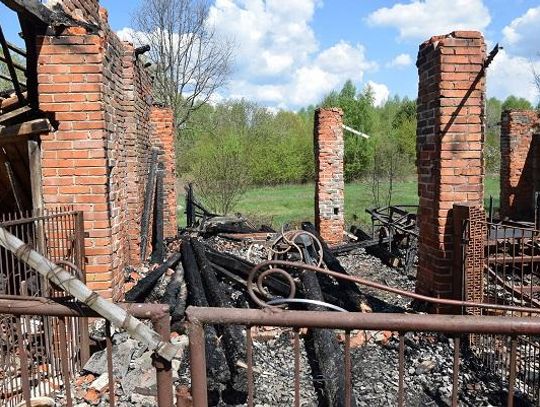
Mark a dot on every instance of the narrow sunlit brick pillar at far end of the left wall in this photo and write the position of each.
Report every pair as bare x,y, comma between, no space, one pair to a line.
162,120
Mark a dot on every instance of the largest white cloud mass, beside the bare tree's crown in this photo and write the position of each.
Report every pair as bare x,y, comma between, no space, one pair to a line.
279,61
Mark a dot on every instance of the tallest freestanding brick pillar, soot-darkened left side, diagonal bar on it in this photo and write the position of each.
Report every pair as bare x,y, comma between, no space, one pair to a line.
450,137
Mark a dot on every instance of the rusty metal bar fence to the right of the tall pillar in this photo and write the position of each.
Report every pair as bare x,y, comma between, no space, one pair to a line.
506,273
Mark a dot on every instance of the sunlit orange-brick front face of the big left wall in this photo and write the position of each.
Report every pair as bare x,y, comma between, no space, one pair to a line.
70,75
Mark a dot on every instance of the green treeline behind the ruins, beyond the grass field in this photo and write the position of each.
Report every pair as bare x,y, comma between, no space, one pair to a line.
253,145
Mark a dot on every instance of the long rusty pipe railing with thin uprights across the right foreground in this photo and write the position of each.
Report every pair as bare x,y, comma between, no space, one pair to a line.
455,325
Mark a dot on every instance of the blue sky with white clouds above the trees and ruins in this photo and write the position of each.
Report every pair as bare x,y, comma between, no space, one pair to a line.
289,53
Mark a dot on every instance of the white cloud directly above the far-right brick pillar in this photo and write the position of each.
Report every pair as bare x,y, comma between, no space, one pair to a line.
512,75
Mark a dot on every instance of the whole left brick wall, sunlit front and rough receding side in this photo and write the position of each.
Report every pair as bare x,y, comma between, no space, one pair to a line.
99,96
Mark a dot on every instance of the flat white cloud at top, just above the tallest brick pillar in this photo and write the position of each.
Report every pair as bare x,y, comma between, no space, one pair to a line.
421,19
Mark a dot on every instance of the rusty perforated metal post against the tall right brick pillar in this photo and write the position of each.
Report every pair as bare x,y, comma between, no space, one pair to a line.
470,228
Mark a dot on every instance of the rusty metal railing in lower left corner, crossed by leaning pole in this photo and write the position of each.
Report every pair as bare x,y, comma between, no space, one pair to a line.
20,310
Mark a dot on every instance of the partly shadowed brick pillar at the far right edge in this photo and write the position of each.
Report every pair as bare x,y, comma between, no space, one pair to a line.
518,163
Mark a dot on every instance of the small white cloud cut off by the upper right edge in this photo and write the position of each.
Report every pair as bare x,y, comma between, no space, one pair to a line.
520,37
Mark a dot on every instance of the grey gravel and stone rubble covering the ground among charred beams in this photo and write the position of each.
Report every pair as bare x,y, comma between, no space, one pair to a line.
428,357
